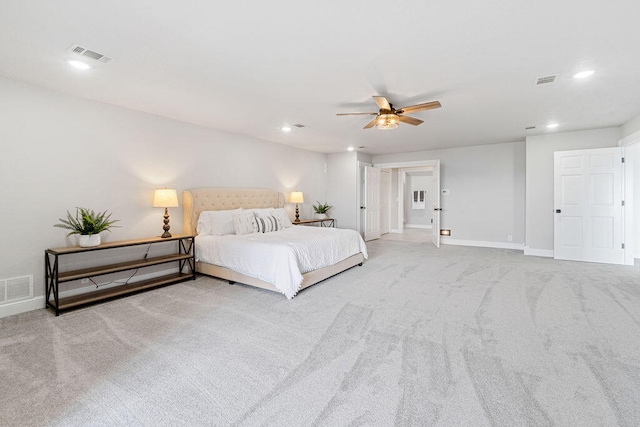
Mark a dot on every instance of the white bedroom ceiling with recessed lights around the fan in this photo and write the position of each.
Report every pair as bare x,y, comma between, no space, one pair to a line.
248,67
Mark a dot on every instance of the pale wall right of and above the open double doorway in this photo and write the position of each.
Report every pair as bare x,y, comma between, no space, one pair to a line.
486,184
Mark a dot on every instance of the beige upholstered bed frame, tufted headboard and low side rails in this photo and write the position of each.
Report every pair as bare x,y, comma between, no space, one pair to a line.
197,200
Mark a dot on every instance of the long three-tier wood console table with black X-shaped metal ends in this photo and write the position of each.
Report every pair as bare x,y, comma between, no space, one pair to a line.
184,256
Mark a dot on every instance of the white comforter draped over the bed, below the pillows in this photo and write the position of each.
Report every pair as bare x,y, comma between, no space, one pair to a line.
280,257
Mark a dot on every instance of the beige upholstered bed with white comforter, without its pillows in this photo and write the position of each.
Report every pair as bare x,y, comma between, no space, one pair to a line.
294,271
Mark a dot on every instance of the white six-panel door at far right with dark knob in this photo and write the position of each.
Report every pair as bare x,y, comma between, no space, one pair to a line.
588,205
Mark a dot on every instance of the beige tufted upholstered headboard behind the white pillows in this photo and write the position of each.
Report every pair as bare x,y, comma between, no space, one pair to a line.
197,200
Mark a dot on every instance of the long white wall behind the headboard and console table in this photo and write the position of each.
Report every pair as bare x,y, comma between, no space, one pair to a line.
60,152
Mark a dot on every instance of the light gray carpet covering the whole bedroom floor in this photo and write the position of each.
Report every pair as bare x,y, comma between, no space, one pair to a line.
417,336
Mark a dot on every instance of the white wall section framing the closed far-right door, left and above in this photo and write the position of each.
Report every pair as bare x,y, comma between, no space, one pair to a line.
539,179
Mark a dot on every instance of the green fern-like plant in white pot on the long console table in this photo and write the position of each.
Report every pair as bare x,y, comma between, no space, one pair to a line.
88,225
